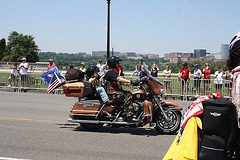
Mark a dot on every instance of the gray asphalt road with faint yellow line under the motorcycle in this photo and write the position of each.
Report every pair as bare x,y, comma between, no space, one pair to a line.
34,126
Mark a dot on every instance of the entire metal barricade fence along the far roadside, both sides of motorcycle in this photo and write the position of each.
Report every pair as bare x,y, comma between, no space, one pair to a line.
173,87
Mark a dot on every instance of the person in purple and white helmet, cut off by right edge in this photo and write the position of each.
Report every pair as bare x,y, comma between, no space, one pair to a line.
233,63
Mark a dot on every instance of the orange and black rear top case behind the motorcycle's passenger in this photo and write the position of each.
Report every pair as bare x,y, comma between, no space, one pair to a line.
78,89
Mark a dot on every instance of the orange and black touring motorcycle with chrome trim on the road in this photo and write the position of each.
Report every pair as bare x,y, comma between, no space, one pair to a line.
148,107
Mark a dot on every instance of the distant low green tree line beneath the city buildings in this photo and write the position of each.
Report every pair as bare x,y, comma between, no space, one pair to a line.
62,60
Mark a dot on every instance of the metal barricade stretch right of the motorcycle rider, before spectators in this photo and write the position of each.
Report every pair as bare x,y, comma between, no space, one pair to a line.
193,88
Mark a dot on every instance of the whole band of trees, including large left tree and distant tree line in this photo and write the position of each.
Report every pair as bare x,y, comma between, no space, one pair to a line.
19,46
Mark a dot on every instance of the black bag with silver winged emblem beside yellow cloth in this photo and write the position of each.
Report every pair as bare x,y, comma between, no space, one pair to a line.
218,136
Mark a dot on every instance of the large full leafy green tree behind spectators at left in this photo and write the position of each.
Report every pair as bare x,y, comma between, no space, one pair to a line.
20,46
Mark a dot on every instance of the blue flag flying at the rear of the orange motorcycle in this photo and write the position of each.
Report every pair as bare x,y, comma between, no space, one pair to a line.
47,76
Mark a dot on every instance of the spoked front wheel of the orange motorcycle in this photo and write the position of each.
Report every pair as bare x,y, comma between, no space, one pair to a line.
170,125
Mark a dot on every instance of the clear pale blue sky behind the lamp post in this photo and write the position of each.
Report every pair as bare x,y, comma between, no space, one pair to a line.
141,26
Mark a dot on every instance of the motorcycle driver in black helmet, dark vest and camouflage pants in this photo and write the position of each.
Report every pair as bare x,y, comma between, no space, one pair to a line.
122,96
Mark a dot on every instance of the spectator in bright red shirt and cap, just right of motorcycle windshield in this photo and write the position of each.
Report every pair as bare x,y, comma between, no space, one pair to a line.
185,74
